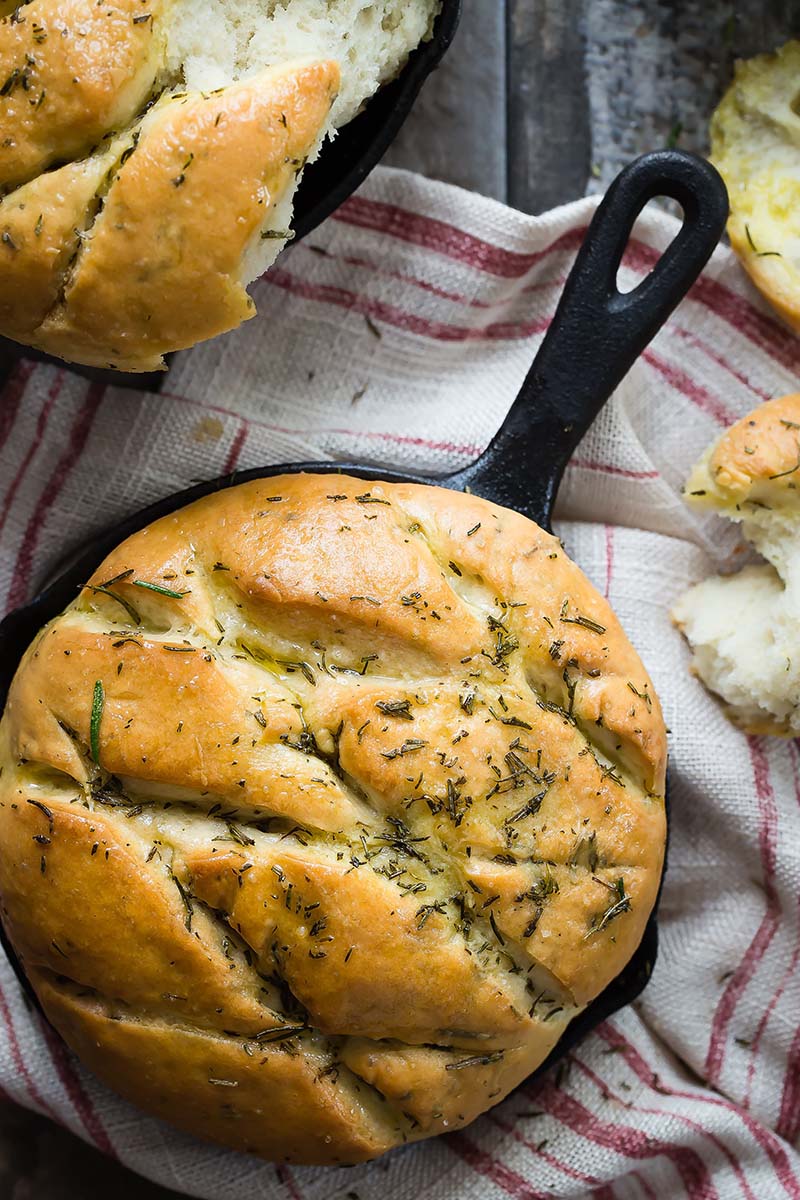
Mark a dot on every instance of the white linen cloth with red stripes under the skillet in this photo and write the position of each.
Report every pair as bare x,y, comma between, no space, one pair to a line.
399,334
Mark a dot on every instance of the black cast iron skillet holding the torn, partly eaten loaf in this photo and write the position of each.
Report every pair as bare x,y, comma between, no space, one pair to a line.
341,169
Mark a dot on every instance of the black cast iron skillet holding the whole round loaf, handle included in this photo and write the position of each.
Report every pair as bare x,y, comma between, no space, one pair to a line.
597,335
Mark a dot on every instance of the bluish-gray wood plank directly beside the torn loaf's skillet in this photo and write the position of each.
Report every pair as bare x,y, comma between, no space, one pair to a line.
458,131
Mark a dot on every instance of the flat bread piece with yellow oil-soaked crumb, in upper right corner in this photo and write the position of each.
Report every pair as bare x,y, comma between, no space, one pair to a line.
756,147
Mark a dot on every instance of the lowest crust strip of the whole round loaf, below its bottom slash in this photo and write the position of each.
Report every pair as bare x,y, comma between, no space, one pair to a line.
248,1094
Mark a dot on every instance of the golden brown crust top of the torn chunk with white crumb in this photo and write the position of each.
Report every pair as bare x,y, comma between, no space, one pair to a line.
756,460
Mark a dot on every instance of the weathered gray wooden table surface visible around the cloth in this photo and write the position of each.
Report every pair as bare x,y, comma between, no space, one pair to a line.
539,103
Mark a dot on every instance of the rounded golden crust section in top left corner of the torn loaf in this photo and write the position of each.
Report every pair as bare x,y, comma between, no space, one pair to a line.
71,73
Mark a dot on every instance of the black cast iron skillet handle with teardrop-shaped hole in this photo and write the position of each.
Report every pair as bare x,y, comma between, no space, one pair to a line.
598,332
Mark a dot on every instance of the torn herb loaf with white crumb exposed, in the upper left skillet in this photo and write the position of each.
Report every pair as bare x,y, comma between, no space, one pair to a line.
151,153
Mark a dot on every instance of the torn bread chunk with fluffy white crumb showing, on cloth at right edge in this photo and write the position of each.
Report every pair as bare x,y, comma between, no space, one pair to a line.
745,629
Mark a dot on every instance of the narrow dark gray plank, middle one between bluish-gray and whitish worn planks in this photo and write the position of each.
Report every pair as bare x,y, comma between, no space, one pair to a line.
550,139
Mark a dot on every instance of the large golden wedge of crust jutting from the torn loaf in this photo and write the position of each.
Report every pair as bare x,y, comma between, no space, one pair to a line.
181,215
